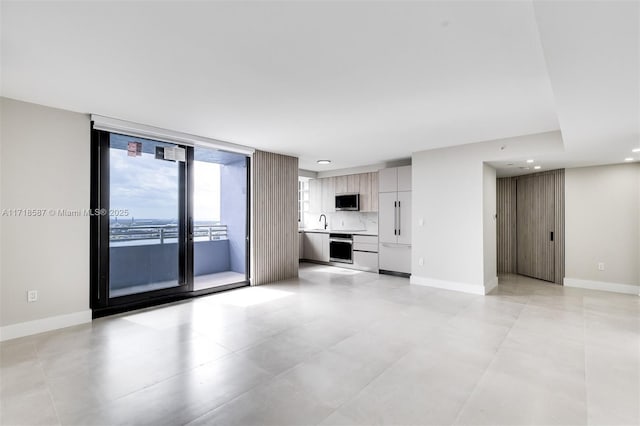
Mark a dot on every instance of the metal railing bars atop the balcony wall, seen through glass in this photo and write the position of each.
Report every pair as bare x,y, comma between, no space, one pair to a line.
164,233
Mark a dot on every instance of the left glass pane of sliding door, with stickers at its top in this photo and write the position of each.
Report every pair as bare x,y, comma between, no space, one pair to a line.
145,228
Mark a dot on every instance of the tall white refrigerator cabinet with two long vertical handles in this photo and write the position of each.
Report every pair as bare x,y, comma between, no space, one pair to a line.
394,220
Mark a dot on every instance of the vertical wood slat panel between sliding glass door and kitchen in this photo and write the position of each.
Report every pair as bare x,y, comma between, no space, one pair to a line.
275,218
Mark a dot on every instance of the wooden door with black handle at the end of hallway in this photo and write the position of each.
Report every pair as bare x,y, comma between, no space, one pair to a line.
535,223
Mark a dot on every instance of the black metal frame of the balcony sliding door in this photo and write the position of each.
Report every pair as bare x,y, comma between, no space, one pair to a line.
100,302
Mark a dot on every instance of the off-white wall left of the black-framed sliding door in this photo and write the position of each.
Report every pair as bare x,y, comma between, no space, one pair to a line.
45,164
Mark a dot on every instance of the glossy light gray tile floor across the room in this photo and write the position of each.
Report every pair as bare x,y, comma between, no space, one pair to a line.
339,347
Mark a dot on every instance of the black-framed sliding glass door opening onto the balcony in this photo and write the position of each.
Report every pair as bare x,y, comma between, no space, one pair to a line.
170,222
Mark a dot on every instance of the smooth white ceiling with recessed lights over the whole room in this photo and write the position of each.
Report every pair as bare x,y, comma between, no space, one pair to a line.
356,82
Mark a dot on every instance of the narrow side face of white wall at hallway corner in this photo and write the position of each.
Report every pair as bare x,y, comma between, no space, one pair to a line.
489,239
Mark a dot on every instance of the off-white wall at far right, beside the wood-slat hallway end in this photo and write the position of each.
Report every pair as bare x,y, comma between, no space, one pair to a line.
602,214
